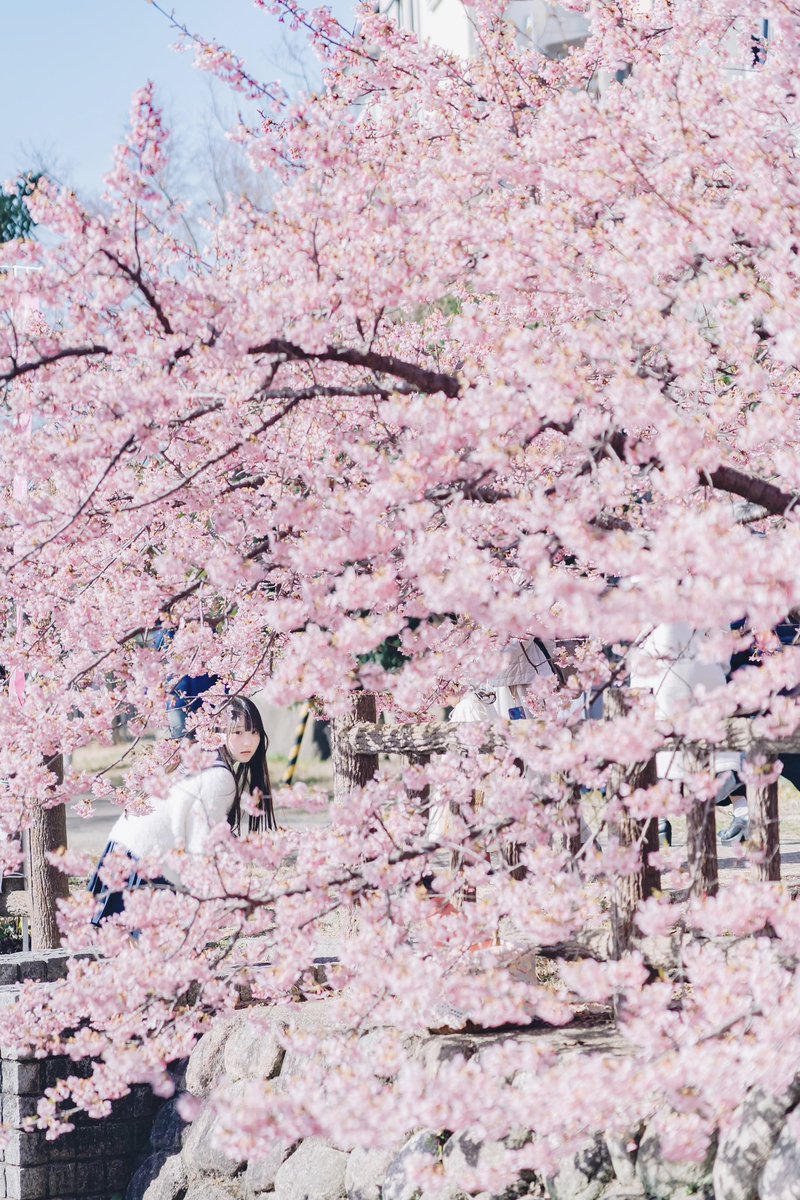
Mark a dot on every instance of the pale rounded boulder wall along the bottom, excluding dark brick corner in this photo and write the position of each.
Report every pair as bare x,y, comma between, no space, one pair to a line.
757,1160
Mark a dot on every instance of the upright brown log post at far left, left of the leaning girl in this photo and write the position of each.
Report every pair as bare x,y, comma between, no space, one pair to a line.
49,832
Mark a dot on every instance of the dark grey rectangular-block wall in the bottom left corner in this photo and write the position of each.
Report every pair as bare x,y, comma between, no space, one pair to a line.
97,1160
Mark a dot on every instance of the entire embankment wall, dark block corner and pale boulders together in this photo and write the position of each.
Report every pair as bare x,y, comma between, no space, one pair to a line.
145,1151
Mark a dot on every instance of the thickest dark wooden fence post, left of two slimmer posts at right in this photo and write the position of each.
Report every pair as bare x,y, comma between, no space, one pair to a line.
631,890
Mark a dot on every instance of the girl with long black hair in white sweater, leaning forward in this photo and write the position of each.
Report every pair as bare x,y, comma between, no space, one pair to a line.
183,819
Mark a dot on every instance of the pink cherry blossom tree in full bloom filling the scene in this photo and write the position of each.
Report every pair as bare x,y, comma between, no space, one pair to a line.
510,355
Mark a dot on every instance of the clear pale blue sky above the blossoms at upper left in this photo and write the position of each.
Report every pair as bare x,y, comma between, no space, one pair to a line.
71,67
